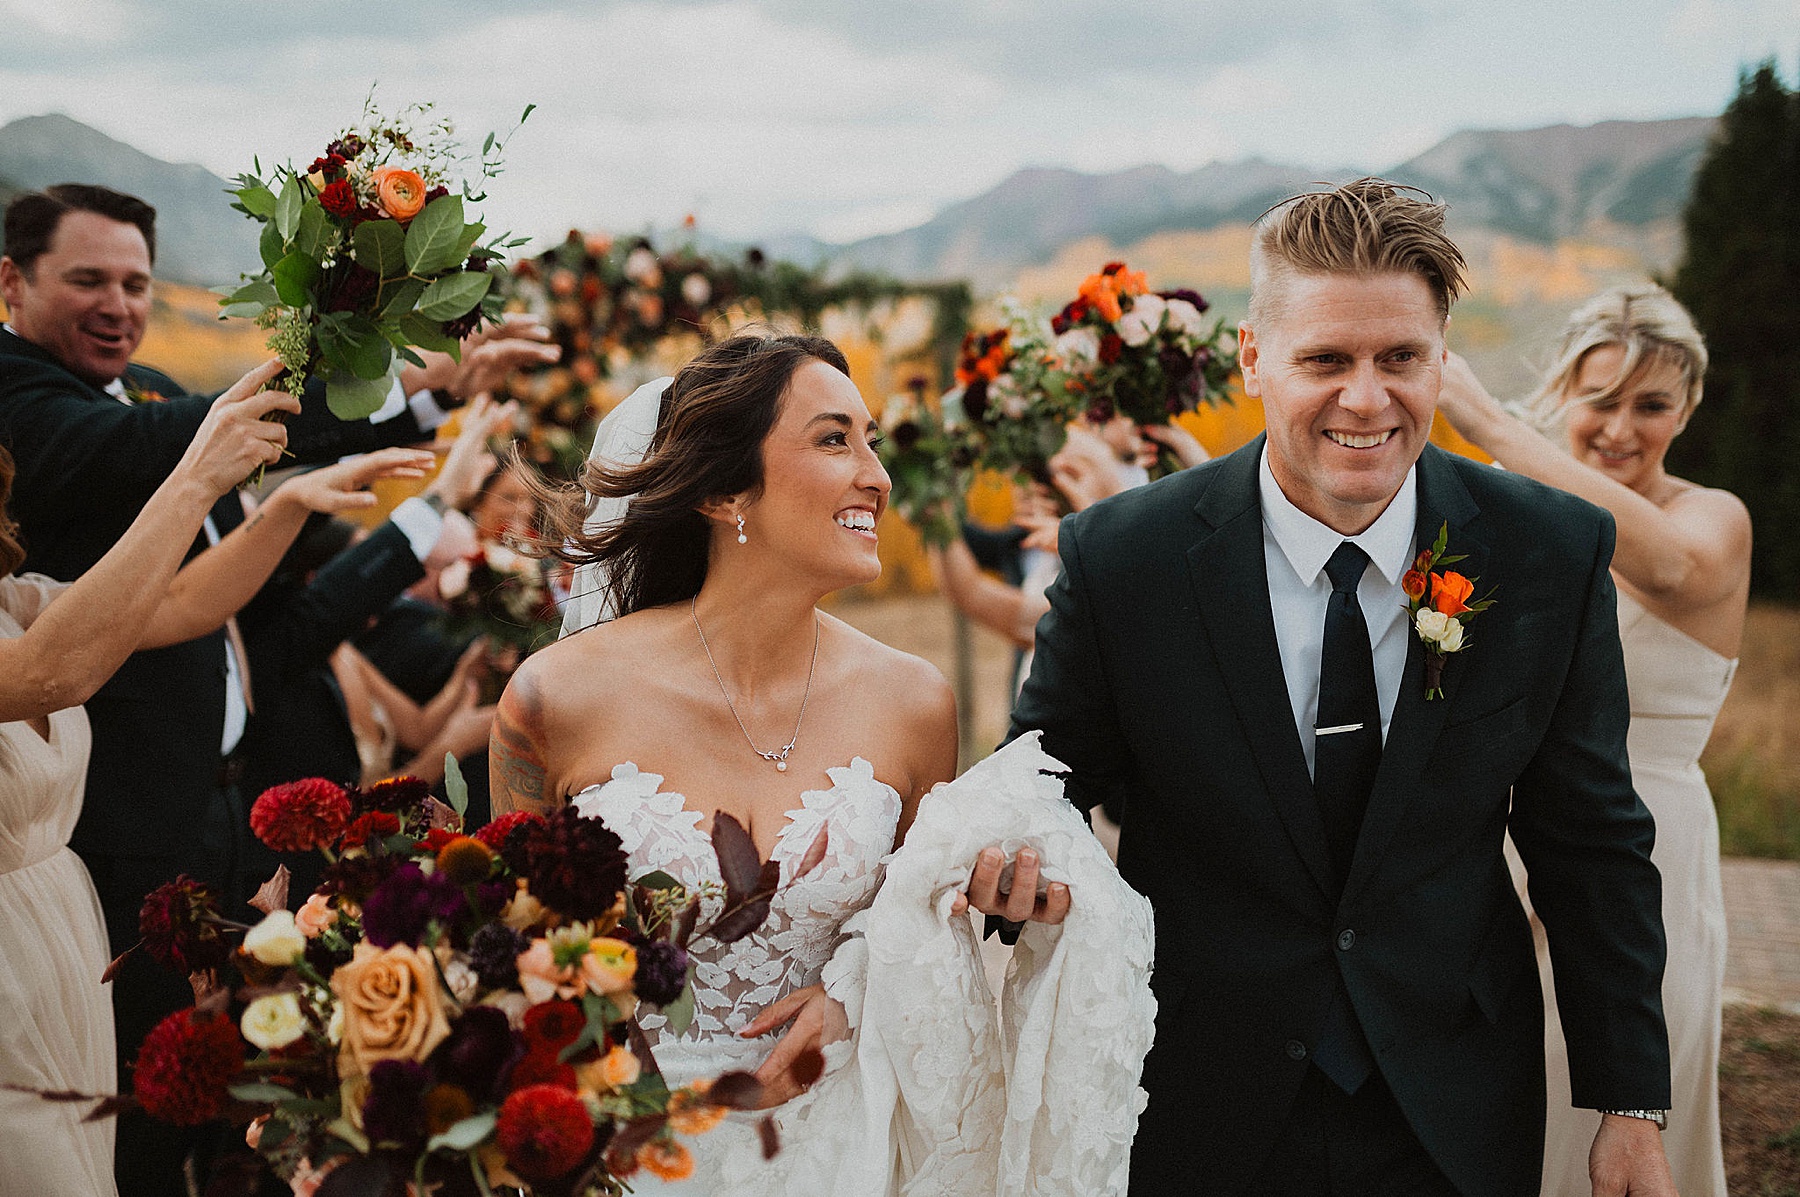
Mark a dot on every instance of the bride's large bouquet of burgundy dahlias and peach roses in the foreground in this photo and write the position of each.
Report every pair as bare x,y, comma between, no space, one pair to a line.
447,1012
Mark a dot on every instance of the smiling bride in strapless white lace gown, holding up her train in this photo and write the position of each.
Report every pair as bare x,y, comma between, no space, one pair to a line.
721,687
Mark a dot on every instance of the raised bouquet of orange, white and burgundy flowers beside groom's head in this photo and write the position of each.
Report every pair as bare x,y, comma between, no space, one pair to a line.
1124,350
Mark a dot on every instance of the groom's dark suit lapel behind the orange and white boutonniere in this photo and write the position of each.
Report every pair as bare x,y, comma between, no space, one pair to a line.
1416,726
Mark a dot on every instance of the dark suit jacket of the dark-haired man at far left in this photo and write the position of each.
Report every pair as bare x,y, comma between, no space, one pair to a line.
87,463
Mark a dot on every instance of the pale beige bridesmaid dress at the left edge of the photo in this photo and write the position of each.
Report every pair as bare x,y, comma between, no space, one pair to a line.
57,1029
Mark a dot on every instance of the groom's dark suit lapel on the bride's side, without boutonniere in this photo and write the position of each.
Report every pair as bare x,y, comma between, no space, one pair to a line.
1232,588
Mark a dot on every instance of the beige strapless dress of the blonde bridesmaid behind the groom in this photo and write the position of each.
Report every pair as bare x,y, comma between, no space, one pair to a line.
1677,688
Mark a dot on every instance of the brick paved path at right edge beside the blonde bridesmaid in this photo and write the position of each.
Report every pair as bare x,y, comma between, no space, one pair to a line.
1763,910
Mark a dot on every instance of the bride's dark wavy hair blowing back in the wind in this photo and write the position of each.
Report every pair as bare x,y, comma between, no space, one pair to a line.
708,445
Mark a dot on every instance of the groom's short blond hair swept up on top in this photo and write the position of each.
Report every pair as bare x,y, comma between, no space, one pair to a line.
1365,228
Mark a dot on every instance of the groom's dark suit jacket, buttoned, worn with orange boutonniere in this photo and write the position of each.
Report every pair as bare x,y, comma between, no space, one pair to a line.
1158,683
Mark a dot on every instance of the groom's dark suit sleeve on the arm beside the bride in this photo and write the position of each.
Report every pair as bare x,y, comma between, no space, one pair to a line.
1070,696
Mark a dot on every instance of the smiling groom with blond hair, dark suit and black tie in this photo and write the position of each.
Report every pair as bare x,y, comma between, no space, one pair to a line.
1345,980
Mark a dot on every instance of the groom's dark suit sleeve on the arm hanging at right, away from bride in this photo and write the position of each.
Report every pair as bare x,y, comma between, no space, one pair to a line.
1587,841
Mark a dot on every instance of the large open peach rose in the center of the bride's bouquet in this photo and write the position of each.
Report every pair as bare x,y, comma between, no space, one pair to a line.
393,1009
